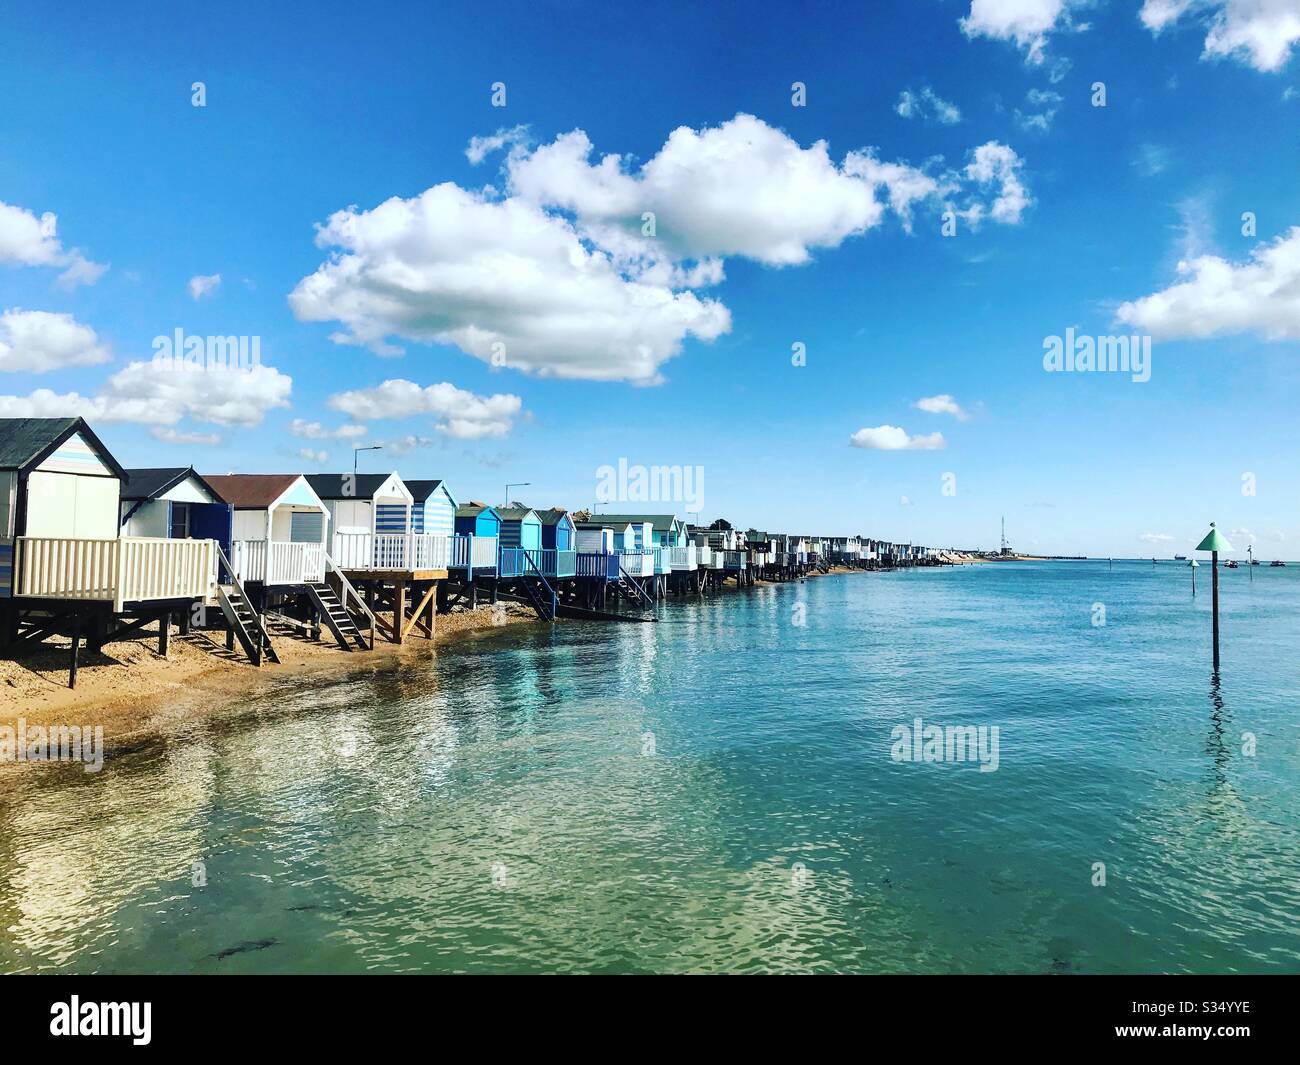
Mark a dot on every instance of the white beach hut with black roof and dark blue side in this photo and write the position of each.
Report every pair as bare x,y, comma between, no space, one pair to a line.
174,503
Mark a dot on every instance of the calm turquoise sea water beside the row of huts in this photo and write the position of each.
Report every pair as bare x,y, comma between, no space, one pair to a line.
717,794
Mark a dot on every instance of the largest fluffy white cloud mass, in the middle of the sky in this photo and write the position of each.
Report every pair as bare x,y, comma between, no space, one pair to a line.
557,276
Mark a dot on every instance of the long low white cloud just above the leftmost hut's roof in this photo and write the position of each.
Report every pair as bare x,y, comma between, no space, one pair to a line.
142,393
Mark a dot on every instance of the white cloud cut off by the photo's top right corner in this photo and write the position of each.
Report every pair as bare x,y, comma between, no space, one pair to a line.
1259,33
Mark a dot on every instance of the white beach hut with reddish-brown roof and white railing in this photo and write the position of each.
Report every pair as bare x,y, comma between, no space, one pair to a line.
280,527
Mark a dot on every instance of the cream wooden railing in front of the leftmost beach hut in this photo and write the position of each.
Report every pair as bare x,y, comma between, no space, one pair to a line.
131,569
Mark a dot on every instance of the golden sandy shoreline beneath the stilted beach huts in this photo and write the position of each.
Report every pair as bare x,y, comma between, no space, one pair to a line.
138,698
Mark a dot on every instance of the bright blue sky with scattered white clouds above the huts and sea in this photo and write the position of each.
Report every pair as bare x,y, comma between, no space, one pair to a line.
677,349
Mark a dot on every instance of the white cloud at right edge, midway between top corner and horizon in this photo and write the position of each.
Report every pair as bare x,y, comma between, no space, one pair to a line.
1217,298
